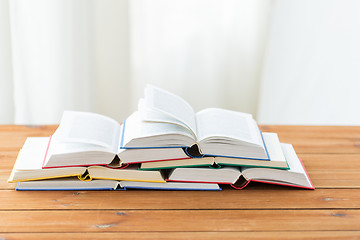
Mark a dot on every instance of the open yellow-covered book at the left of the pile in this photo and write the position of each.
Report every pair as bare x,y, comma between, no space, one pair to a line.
28,166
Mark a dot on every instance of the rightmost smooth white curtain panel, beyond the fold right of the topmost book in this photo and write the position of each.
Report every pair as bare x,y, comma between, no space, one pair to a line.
312,66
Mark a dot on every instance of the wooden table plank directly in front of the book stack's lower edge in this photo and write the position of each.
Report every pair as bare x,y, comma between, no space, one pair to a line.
254,198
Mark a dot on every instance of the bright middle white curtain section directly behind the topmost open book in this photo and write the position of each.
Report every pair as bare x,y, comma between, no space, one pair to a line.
207,51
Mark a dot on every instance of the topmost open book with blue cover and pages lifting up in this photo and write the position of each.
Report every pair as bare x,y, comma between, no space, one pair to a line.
166,120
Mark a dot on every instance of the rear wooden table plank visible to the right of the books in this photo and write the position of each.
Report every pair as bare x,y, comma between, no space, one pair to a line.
318,139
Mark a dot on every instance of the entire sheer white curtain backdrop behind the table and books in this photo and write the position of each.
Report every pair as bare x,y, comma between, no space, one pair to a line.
288,62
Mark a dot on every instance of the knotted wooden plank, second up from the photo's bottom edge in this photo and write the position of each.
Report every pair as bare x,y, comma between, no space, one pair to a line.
183,220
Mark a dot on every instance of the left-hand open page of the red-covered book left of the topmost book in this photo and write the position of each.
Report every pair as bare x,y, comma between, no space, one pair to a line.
88,128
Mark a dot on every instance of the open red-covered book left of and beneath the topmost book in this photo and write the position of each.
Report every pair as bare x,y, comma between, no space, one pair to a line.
85,139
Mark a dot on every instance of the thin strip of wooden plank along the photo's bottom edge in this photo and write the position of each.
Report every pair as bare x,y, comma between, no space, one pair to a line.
315,235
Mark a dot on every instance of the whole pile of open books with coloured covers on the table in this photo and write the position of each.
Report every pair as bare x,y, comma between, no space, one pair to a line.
163,145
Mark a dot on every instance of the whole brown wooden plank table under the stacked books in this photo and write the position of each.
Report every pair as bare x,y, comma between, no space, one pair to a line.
331,156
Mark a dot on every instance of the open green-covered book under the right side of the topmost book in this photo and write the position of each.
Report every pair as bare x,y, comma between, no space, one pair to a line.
277,159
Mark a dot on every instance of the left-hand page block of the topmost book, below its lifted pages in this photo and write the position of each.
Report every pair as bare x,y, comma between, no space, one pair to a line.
136,133
